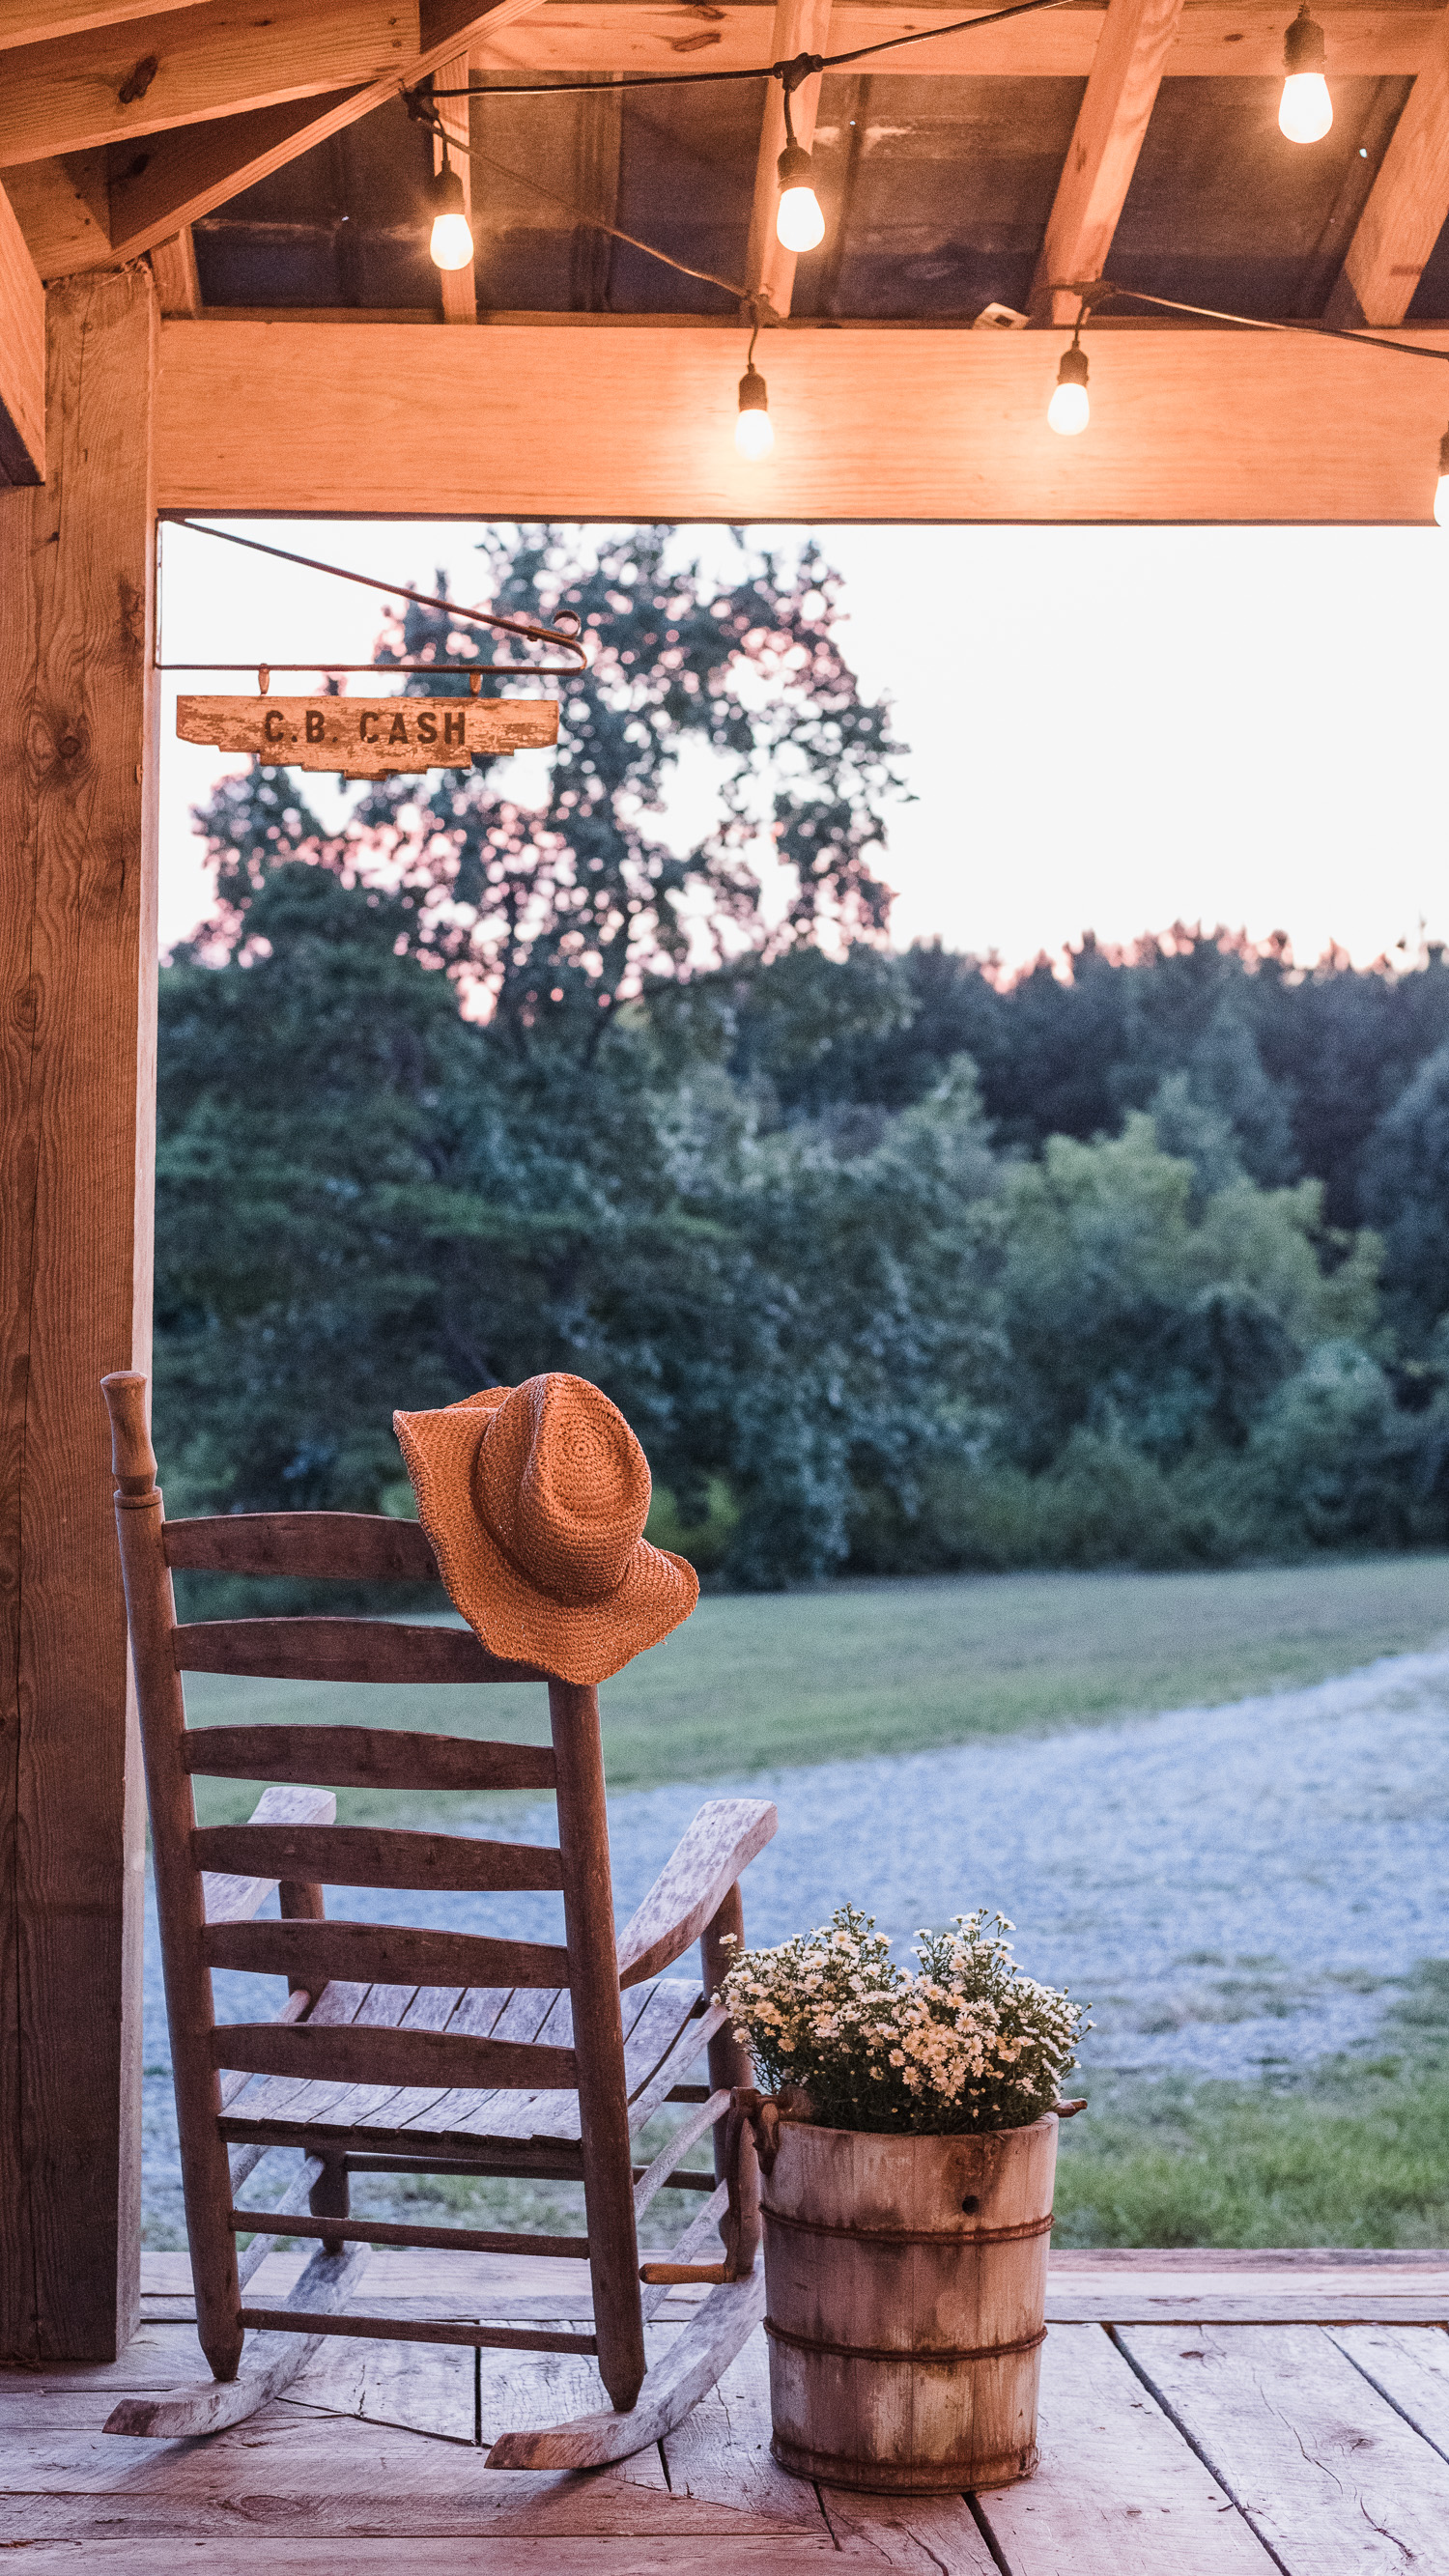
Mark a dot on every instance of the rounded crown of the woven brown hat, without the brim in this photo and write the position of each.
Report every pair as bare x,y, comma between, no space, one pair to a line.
563,1488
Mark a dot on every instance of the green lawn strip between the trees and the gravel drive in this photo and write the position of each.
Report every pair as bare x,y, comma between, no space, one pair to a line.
868,1668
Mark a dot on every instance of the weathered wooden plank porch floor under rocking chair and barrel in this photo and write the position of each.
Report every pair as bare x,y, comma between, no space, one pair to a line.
1203,2415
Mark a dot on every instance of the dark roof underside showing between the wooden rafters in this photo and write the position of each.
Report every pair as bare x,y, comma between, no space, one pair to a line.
937,197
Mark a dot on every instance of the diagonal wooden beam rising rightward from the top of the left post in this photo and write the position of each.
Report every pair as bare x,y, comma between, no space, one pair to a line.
182,176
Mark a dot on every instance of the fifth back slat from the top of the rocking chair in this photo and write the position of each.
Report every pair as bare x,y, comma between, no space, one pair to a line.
383,1954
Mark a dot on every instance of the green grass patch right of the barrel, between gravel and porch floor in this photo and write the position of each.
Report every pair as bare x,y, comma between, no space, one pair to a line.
1347,2155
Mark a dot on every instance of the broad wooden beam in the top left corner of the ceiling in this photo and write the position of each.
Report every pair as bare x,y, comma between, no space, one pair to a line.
195,63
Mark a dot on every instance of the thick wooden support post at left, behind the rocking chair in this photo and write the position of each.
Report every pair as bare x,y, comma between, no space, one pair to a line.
76,1289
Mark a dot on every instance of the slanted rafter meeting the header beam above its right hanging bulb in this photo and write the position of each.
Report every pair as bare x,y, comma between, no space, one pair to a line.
1113,120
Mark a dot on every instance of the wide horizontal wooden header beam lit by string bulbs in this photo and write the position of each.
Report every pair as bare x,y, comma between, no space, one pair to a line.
870,426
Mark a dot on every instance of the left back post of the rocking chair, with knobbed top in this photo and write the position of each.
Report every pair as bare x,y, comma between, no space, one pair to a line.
151,1614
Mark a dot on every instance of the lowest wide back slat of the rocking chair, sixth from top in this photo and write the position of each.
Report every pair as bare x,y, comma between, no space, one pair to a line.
391,2057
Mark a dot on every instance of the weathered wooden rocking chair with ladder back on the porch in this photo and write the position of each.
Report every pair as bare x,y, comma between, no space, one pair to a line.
401,2049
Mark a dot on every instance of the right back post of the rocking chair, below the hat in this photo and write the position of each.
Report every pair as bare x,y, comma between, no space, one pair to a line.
599,2041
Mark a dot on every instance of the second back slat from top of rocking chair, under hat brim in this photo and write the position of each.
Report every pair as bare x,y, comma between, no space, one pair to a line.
342,1650
